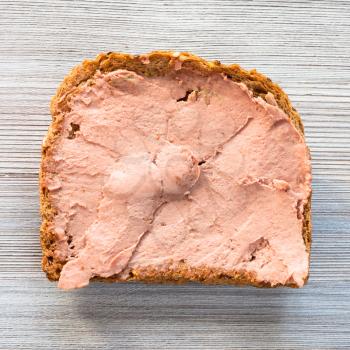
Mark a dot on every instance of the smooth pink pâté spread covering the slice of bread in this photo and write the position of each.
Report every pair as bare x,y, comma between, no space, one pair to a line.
155,172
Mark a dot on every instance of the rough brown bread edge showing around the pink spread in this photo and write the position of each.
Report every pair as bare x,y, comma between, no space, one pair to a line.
158,63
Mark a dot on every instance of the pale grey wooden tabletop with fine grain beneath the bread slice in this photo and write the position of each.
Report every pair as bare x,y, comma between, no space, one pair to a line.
303,45
